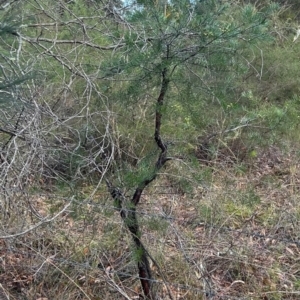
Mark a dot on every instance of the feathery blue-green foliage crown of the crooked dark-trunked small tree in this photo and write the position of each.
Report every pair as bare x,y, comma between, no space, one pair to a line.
201,47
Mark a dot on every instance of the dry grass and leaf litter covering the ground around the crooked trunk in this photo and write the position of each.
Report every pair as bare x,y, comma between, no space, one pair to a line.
234,238
